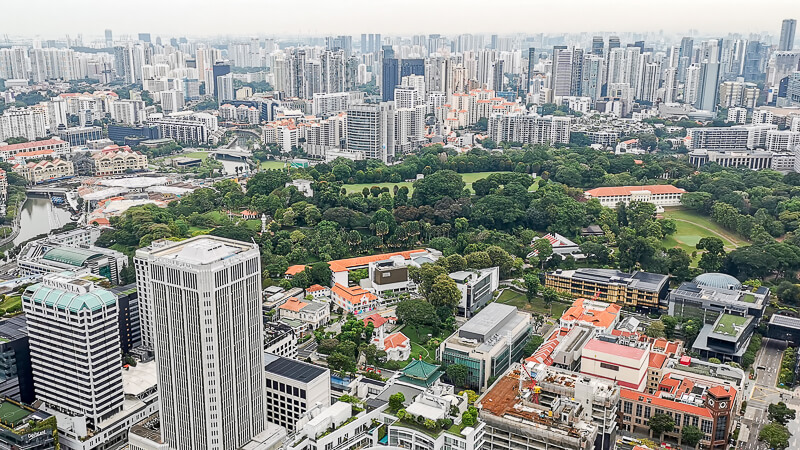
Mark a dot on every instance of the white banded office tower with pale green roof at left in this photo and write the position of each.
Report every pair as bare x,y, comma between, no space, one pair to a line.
73,327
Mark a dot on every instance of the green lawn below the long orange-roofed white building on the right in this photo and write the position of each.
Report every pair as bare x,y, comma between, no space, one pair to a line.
692,227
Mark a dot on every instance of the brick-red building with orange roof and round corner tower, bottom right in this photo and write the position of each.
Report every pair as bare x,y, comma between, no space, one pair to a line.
699,403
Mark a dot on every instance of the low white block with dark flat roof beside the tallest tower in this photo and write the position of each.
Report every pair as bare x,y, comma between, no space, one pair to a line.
294,387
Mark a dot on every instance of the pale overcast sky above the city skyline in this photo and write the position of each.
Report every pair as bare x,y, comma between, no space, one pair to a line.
55,18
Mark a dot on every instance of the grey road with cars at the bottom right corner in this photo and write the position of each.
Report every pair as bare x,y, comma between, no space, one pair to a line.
762,392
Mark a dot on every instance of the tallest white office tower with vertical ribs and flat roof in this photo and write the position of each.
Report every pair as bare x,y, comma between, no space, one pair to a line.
204,294
